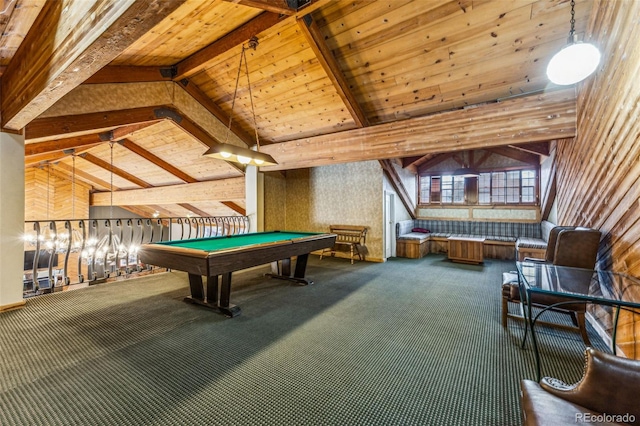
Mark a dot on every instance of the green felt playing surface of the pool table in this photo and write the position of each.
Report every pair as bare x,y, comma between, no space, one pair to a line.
237,241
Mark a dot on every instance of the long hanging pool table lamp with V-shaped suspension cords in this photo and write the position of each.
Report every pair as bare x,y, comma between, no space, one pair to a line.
238,154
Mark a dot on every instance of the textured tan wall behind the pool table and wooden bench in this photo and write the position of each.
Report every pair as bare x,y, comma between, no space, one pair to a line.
314,199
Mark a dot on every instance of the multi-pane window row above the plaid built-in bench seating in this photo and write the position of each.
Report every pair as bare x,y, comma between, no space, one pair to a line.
492,188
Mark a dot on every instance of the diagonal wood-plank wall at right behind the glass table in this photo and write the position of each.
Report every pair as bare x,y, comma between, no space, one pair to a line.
598,175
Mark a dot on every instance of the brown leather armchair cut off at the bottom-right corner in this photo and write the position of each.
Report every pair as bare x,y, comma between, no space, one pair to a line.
608,388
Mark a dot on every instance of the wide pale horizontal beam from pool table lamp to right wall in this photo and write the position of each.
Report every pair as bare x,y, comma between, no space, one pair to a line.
532,118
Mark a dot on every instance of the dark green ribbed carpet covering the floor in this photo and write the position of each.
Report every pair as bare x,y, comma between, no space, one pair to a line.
407,342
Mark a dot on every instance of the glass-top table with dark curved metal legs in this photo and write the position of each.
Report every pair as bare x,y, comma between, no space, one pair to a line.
575,285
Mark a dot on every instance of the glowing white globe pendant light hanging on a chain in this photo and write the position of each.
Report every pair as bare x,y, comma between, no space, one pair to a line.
574,62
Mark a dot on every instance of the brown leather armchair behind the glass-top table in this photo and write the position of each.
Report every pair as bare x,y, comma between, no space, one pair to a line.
567,246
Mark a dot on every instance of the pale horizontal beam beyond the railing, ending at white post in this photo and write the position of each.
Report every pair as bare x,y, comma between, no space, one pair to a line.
190,193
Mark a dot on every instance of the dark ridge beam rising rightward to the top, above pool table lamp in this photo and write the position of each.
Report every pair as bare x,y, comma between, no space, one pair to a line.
198,61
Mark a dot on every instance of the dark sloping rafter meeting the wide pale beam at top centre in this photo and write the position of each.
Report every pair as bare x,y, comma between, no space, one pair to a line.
326,59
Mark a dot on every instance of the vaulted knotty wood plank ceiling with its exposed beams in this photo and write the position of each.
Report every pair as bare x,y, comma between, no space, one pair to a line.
331,81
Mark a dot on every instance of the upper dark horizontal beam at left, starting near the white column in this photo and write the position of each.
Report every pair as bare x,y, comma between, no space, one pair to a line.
52,126
